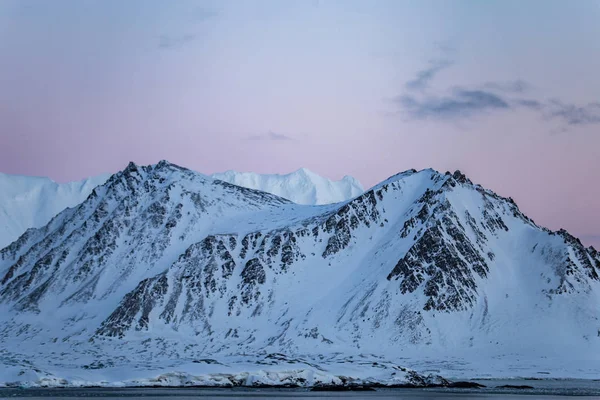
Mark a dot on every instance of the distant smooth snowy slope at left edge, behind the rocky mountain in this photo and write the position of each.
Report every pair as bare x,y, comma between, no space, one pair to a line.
30,202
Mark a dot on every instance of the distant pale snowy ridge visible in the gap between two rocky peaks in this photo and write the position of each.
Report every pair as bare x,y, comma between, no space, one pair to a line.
301,186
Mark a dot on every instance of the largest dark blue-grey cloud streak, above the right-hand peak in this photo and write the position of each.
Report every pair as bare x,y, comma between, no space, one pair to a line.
461,103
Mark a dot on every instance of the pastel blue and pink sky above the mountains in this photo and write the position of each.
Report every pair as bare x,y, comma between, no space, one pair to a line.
506,91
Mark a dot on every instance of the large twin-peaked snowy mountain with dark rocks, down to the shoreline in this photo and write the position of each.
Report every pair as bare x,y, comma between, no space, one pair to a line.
161,269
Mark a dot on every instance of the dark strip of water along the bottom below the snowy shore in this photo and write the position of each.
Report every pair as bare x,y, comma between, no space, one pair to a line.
542,390
